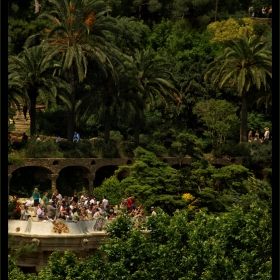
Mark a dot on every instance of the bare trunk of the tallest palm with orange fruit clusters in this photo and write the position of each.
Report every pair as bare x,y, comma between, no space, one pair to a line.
71,110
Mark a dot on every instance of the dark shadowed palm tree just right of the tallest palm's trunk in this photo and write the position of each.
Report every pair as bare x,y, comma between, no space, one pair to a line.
114,99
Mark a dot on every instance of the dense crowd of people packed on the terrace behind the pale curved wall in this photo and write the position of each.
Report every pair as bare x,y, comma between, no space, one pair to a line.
71,209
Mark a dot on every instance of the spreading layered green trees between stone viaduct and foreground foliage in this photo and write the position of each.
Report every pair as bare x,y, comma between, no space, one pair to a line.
153,182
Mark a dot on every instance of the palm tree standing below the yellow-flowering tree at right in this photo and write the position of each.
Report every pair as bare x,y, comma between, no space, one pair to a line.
246,62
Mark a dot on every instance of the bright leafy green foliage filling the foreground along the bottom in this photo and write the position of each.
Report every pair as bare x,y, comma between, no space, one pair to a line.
188,245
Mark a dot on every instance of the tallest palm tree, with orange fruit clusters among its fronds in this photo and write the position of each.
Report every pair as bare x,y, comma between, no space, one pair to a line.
80,33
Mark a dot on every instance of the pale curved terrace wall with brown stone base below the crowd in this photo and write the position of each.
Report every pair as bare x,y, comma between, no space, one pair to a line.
81,239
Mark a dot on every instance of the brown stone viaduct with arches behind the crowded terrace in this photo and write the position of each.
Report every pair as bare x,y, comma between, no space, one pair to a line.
50,168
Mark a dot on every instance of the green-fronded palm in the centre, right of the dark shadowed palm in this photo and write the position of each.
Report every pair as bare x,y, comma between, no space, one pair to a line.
156,81
